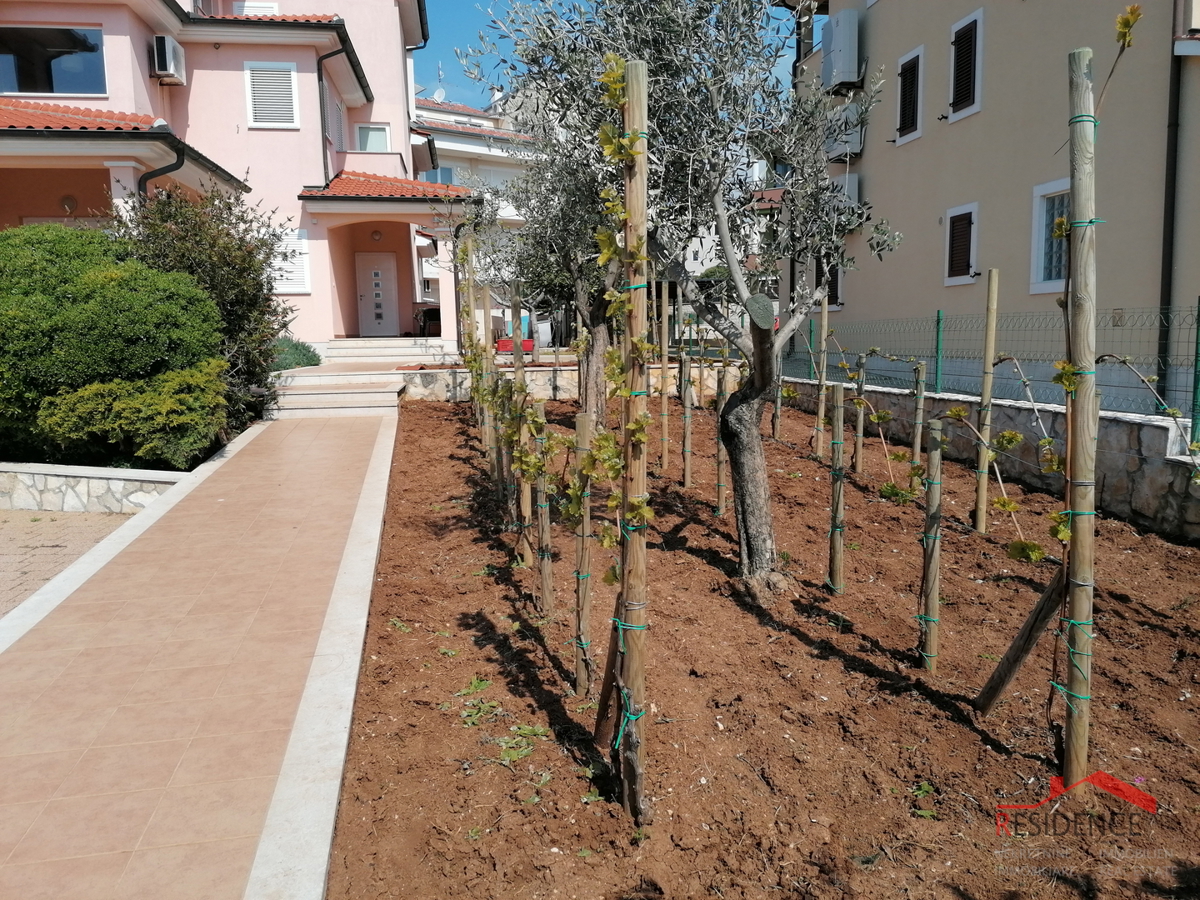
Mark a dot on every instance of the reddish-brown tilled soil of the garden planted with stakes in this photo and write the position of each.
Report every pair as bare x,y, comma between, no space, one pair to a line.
787,746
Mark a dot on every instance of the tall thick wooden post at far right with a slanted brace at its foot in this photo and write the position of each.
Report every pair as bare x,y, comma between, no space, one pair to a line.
1085,424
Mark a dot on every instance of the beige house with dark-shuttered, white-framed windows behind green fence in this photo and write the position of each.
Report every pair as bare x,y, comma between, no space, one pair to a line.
964,153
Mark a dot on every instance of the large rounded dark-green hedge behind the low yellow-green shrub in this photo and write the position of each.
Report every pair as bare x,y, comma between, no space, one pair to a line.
73,315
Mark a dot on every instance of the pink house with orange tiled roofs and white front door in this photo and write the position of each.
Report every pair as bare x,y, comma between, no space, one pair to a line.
308,104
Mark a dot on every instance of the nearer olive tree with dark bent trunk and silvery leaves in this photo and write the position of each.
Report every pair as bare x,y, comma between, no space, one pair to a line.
735,152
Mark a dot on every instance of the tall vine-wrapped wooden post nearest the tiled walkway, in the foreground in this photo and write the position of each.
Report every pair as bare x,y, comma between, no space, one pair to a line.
632,623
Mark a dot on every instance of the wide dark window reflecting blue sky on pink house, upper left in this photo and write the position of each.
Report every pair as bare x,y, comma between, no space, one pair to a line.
52,61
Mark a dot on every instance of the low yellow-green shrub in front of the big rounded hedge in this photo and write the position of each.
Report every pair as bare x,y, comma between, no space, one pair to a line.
172,418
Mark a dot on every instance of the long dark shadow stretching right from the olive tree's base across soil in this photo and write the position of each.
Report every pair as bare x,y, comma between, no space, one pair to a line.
957,707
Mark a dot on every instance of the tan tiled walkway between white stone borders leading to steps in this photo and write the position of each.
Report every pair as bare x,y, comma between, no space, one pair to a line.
145,721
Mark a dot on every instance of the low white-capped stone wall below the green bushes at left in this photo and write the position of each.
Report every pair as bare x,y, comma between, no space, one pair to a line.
81,489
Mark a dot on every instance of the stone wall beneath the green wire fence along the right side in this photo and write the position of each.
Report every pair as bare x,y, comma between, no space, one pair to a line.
1143,473
